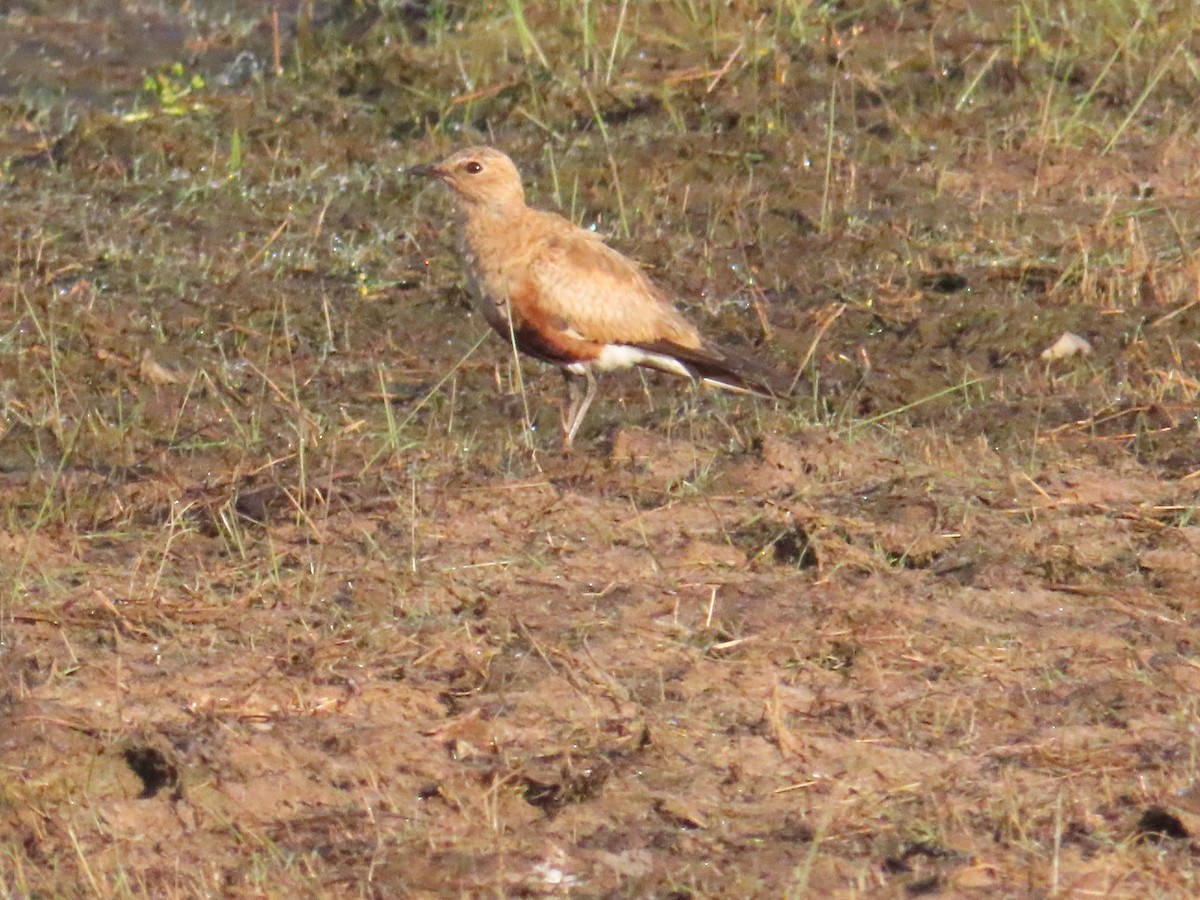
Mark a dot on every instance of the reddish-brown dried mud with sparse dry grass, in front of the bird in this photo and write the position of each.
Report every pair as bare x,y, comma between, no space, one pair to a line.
580,686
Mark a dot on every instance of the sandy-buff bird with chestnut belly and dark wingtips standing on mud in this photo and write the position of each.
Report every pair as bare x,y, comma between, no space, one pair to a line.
562,296
